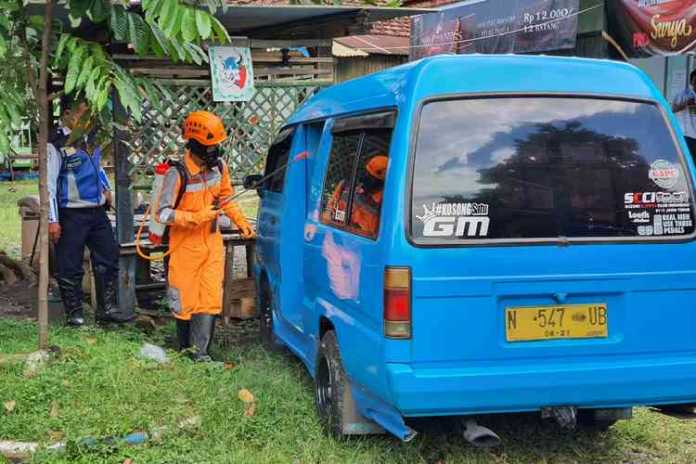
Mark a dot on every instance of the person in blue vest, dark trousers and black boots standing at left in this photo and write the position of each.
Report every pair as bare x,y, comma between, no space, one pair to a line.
79,195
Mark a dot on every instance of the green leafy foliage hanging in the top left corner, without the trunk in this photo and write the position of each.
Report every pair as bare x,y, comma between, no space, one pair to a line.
163,28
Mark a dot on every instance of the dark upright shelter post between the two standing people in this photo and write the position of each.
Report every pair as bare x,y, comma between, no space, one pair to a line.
124,209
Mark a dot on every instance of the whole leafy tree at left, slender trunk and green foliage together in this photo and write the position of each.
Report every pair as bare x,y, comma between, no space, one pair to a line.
37,47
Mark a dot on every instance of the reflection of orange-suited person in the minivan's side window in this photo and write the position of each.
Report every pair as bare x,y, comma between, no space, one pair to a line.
367,201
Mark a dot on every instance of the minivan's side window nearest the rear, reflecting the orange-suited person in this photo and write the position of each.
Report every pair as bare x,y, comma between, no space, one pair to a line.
352,195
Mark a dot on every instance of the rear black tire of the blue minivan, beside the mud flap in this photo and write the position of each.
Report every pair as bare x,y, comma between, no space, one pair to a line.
330,386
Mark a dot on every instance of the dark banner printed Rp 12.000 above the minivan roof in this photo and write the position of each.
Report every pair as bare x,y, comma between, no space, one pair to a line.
496,26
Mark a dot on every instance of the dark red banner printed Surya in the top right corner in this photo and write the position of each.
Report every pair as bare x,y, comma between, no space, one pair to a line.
653,27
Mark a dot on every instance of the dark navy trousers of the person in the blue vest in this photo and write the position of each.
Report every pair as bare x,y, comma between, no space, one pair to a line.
91,227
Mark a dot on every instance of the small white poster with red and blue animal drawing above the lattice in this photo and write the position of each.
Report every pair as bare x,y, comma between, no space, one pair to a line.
231,73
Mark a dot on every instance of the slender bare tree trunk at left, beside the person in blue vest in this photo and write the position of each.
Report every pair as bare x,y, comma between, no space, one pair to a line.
42,99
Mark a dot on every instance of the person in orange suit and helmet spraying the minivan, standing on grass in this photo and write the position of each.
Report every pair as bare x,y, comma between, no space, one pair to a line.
196,262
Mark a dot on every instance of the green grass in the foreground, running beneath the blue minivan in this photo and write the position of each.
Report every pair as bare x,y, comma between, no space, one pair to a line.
99,387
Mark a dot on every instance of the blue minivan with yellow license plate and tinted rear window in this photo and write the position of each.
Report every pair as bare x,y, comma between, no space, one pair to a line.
469,235
